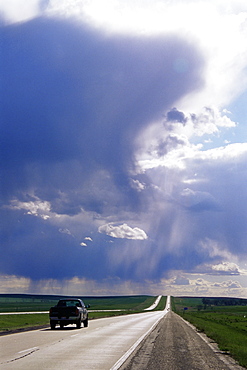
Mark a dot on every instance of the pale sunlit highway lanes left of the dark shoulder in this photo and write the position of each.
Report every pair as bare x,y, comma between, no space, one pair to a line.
105,344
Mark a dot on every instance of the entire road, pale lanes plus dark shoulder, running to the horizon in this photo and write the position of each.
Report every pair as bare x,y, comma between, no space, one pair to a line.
150,340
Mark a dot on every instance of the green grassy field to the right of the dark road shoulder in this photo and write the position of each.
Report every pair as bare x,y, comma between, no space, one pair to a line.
222,319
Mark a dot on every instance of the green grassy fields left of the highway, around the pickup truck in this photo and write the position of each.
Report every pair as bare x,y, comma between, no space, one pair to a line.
34,303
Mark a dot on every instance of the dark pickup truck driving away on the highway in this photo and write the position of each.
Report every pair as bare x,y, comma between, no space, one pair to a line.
68,311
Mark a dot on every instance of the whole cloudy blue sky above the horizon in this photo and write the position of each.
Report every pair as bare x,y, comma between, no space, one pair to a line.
123,147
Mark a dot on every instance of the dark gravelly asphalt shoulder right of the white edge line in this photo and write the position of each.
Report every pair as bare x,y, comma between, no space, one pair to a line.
175,345
